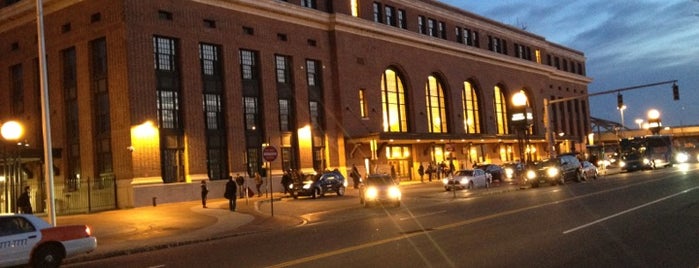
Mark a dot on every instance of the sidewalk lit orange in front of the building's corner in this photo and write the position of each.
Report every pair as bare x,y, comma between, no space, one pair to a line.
142,229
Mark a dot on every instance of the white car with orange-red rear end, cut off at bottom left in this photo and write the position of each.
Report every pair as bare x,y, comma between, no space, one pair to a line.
27,239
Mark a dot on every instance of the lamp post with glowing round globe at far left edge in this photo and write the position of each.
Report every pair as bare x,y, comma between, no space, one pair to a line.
11,131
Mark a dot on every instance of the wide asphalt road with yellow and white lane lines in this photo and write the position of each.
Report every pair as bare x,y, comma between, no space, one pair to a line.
640,219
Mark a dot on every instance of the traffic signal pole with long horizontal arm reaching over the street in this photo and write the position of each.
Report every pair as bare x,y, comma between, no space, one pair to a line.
547,106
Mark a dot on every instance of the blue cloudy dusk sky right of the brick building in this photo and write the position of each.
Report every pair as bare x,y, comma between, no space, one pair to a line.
626,43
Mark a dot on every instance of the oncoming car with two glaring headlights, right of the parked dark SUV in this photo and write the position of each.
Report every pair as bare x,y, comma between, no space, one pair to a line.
379,188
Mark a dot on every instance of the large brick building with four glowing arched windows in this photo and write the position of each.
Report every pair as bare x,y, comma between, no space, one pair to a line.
149,96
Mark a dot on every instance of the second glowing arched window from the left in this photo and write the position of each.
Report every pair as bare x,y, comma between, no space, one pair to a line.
436,111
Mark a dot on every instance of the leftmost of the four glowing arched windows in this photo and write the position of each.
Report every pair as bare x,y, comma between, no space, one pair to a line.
393,102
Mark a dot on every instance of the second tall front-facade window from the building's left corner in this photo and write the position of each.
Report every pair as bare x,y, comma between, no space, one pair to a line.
214,114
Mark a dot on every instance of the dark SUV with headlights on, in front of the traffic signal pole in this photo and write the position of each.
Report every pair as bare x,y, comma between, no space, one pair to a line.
557,170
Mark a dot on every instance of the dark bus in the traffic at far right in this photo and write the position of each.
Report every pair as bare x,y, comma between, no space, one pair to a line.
646,152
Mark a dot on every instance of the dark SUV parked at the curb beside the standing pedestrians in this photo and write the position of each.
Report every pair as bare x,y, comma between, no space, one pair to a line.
317,185
